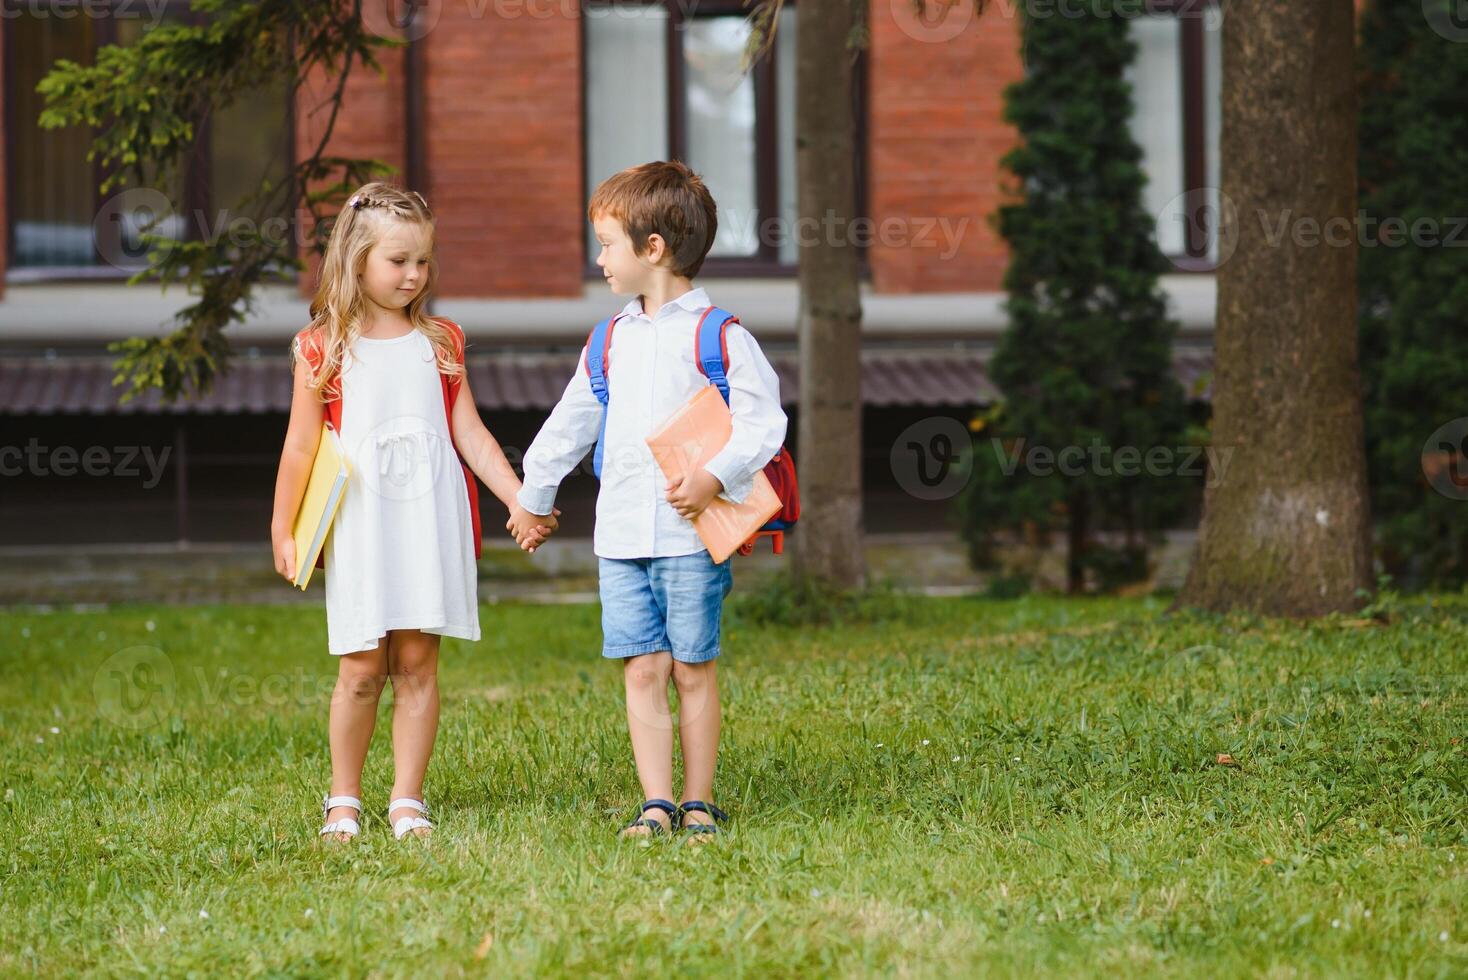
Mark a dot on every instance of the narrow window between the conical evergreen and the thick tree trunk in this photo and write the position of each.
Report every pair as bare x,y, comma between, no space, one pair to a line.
1177,83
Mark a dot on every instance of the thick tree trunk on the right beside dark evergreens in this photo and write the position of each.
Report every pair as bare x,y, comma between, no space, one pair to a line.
1287,532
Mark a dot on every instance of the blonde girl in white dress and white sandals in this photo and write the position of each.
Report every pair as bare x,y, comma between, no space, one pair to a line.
400,558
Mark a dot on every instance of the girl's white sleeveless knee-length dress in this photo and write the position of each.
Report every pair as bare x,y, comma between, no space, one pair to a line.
401,551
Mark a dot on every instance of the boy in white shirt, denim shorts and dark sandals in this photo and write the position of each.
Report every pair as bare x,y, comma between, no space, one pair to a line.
661,590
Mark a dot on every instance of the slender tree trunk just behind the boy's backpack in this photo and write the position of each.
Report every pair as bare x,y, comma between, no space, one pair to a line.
830,464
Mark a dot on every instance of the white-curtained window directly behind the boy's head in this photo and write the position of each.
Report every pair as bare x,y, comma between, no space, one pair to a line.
663,81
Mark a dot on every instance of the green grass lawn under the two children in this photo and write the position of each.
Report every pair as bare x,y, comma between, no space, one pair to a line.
930,789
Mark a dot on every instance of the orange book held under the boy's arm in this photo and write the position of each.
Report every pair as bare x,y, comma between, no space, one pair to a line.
691,438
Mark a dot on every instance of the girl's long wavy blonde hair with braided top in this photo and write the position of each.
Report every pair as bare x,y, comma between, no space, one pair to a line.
340,307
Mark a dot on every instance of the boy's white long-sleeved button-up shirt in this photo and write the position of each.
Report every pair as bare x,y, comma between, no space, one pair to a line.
653,373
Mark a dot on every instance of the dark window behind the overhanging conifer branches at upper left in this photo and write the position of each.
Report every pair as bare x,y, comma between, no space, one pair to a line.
59,224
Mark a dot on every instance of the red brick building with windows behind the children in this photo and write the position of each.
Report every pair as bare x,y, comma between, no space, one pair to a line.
506,115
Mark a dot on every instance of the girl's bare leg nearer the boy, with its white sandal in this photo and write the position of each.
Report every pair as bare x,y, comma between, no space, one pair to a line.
413,662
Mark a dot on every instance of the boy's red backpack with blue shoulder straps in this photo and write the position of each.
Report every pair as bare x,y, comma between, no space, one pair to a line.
713,356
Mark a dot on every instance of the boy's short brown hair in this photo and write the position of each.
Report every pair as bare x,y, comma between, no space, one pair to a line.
666,199
